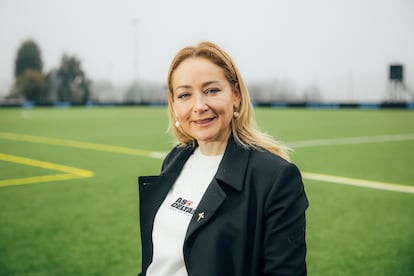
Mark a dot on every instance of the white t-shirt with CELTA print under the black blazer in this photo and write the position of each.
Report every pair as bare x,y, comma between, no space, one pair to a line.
174,215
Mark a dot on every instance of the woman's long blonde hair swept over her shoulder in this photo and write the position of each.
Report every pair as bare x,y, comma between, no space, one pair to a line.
243,128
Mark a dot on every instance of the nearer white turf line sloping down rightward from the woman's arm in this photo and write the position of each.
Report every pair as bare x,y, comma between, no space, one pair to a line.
358,182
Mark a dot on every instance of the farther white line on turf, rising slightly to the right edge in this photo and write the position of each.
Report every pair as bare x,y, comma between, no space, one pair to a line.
352,140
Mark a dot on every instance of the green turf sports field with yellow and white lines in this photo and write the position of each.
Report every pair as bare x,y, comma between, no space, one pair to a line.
69,197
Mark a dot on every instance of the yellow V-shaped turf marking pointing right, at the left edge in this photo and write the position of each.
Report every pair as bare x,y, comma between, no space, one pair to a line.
69,172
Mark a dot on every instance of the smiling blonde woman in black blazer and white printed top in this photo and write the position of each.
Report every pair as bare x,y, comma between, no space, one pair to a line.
227,202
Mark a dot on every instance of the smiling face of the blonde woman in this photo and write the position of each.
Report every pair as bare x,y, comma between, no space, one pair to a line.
203,100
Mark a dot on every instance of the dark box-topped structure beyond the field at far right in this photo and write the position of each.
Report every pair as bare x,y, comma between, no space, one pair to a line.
397,90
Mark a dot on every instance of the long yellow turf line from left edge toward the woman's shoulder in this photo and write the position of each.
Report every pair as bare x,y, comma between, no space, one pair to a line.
77,144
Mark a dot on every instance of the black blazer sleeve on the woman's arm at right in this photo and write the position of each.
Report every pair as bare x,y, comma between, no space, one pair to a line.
284,238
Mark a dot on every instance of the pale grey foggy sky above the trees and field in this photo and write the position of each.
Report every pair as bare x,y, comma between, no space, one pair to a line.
344,48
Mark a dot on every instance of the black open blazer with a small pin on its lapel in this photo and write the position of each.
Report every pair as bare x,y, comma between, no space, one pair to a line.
254,215
